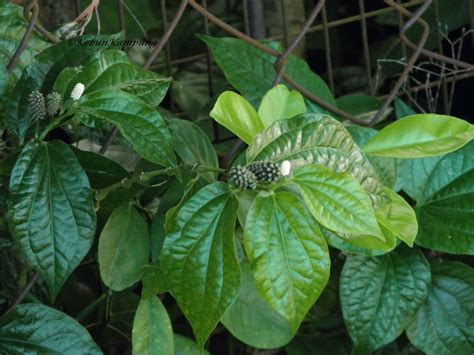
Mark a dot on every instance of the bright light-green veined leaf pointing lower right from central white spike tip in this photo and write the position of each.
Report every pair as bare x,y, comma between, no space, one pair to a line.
336,200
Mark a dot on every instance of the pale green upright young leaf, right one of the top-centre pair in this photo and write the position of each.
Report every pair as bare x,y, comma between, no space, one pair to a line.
280,103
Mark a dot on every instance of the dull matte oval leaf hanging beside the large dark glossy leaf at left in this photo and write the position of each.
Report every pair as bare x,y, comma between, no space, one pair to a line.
124,247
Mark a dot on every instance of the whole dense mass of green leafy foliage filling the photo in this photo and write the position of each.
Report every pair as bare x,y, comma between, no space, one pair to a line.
317,231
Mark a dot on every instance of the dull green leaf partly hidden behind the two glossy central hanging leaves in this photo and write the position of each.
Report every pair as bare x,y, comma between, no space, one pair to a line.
251,320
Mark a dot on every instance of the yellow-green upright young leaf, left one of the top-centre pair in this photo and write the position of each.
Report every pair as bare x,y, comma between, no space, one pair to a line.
236,114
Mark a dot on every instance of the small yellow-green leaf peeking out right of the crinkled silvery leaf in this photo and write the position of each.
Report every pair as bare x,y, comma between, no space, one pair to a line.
398,217
